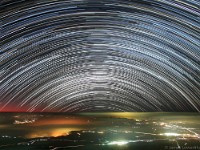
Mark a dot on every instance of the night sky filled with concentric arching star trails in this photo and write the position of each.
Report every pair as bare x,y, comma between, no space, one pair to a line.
91,55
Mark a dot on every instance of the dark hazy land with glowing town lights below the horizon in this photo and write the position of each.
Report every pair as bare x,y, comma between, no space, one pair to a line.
100,131
